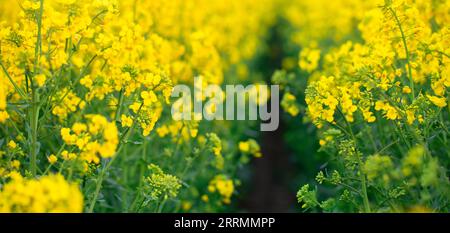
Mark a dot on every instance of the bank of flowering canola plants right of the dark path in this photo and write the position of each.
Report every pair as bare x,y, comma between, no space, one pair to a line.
378,91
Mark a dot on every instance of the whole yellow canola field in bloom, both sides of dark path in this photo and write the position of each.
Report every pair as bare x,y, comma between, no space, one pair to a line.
85,104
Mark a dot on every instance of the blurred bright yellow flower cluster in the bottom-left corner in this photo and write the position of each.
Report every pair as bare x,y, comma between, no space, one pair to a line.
50,193
